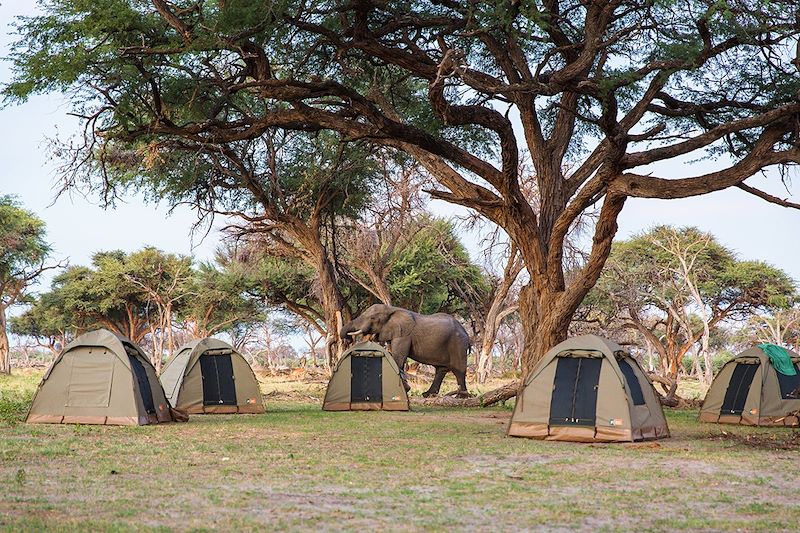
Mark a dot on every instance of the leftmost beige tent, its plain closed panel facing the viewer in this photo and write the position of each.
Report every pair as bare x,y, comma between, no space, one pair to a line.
100,378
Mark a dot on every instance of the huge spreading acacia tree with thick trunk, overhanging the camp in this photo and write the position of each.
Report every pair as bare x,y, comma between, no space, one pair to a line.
602,88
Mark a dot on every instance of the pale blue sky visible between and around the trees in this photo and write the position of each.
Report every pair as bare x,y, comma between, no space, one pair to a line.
78,227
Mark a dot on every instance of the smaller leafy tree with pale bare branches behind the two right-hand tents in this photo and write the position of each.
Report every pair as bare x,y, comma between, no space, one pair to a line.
674,286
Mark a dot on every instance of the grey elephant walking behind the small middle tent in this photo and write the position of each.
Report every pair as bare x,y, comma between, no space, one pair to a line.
438,340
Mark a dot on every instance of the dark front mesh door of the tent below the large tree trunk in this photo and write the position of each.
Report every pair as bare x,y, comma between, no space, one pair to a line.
574,400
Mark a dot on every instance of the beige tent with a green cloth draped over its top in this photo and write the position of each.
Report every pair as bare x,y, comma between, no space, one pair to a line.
748,390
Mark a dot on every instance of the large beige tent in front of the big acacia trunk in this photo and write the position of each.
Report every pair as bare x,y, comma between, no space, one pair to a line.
587,389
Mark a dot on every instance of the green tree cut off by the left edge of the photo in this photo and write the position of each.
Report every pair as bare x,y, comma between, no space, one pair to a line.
23,253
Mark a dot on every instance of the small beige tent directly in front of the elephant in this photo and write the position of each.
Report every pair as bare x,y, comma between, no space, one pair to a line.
366,378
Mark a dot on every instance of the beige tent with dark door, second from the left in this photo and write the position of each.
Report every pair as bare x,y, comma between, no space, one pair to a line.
209,376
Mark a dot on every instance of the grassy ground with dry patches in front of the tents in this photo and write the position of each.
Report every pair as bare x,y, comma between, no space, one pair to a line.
298,468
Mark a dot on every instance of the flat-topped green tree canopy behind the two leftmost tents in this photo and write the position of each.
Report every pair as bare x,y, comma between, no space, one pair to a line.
123,292
